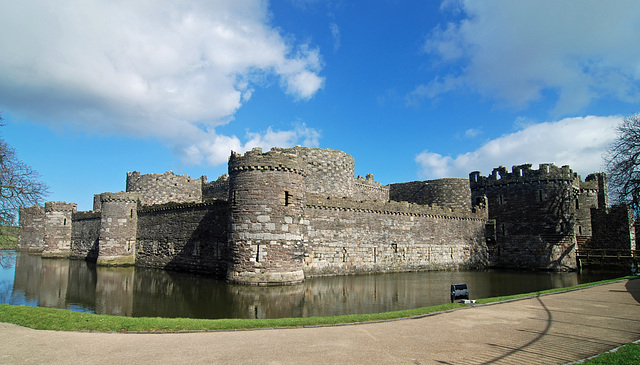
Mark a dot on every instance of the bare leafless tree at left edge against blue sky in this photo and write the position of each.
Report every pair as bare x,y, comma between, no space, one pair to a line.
20,185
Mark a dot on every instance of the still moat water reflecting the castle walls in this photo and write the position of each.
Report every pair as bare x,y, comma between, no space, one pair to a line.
140,292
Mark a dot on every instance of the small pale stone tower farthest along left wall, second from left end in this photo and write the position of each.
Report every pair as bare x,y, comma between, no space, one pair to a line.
57,229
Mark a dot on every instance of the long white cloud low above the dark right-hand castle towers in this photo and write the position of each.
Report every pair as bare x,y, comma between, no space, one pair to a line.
577,142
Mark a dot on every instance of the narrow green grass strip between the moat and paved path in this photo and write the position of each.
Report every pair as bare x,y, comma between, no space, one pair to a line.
66,320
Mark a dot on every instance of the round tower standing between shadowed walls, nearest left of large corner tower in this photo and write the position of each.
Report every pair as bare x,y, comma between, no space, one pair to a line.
118,226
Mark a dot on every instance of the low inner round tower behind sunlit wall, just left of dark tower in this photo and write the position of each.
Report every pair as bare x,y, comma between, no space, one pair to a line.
449,192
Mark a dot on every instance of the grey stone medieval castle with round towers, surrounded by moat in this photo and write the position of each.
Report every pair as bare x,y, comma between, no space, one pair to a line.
291,213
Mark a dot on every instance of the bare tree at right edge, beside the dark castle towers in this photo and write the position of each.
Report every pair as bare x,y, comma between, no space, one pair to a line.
623,163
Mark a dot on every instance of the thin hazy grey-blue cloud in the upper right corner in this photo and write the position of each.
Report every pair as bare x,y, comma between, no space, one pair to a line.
516,51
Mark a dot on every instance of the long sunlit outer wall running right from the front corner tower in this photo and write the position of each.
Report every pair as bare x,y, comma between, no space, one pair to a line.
345,236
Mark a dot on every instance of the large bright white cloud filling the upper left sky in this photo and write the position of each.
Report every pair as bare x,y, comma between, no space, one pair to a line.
167,69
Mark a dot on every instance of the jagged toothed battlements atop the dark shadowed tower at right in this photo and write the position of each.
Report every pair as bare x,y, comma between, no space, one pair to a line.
524,174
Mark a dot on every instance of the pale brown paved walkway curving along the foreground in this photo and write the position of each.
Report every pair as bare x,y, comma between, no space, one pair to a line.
551,329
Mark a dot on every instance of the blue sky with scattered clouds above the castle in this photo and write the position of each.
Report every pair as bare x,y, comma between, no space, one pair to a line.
412,89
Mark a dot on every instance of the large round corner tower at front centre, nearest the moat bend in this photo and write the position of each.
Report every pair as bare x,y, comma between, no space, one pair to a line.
267,206
